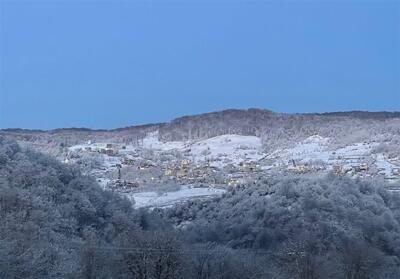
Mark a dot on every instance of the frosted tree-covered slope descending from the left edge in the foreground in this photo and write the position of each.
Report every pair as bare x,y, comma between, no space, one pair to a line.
57,223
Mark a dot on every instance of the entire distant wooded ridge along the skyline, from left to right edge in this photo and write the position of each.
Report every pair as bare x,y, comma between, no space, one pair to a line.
274,128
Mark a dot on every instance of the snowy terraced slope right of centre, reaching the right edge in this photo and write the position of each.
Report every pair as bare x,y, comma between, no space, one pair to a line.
316,152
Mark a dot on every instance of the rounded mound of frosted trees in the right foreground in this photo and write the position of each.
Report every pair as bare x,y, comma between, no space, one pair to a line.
331,227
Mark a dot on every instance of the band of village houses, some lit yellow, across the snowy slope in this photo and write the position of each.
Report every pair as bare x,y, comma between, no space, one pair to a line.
151,168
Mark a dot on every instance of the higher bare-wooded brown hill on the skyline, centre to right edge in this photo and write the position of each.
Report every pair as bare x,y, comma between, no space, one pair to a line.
277,129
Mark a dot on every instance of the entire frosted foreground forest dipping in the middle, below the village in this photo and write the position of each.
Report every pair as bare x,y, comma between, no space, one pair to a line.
57,223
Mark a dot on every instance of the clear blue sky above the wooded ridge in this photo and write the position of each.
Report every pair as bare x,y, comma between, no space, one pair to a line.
112,64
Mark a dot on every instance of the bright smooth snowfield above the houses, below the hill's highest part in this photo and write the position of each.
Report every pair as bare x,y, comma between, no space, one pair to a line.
227,149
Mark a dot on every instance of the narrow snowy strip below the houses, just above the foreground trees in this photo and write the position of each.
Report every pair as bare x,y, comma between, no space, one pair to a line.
153,199
